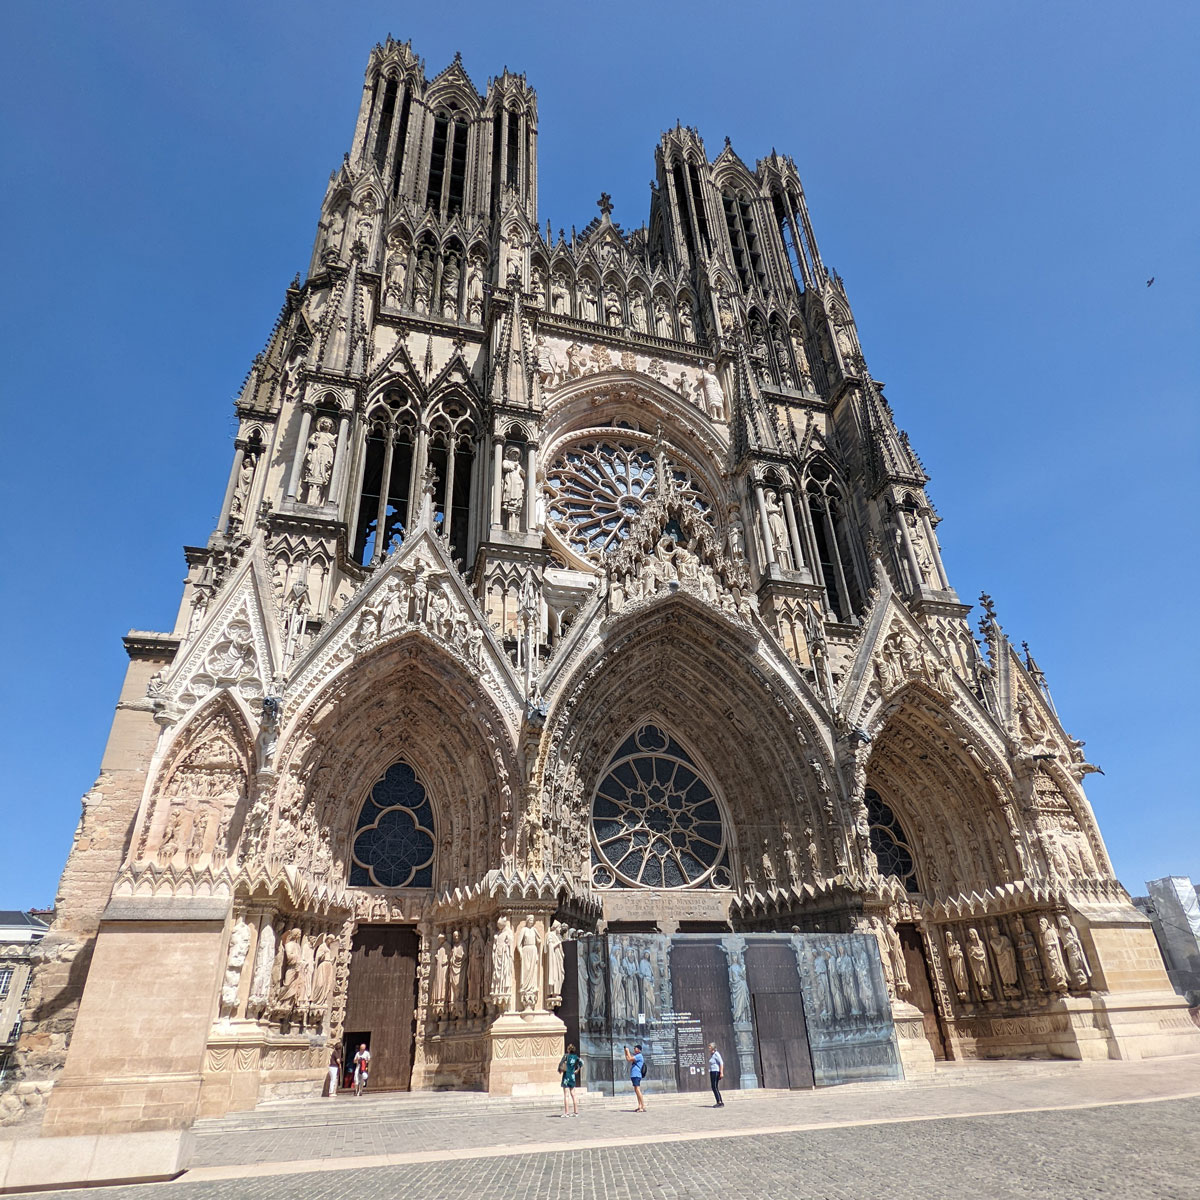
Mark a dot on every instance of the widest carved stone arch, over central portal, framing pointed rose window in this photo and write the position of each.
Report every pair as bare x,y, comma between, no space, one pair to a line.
685,667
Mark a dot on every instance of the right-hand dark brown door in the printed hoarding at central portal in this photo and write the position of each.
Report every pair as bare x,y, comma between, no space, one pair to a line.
784,1057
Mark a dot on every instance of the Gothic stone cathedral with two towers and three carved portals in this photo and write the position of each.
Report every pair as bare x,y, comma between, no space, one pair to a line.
565,586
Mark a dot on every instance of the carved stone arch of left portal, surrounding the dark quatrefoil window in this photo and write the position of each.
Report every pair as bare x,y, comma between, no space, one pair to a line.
409,700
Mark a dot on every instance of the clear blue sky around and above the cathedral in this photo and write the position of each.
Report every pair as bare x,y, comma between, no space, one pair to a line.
994,182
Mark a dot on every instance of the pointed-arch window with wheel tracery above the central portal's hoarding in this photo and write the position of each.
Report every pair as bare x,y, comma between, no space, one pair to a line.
656,824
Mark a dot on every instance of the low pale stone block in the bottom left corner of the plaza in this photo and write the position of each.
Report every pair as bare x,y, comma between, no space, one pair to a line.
33,1165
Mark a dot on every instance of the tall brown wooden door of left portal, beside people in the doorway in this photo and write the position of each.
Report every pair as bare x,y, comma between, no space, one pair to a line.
382,1000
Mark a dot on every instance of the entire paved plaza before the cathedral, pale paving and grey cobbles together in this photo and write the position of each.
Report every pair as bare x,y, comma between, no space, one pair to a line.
1060,1131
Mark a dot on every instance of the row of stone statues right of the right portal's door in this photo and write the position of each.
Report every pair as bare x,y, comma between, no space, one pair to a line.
1053,958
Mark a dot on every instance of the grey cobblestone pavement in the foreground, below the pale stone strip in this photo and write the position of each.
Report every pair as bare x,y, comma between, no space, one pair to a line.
1129,1151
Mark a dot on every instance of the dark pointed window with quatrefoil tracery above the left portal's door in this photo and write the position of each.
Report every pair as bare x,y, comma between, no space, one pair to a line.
394,836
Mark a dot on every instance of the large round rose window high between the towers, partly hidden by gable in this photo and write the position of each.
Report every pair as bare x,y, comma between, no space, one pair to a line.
598,489
